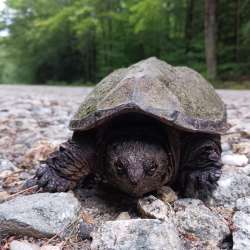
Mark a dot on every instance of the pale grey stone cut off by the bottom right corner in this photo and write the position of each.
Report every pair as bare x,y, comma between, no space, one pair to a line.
241,232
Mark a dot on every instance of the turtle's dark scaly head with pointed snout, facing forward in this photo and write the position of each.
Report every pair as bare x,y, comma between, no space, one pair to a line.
138,165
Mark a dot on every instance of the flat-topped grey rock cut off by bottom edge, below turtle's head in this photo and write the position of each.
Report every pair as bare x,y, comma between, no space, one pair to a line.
136,234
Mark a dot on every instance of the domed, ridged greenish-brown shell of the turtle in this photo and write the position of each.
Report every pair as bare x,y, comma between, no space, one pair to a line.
177,96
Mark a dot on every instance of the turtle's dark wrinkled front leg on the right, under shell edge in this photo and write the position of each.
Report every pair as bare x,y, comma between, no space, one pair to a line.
200,165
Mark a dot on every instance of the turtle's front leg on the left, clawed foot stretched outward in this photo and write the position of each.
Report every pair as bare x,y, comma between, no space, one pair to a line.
64,167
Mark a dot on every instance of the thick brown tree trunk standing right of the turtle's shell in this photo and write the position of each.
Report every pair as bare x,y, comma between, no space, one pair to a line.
210,37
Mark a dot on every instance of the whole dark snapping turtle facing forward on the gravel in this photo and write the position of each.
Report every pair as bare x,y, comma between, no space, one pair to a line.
142,127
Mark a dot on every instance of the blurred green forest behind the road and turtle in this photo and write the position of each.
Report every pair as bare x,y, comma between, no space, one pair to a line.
80,41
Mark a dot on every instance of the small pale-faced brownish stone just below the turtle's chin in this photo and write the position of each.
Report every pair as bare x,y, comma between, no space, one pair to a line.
151,207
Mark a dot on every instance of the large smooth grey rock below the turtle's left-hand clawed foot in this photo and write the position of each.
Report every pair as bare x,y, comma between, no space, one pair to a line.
38,215
